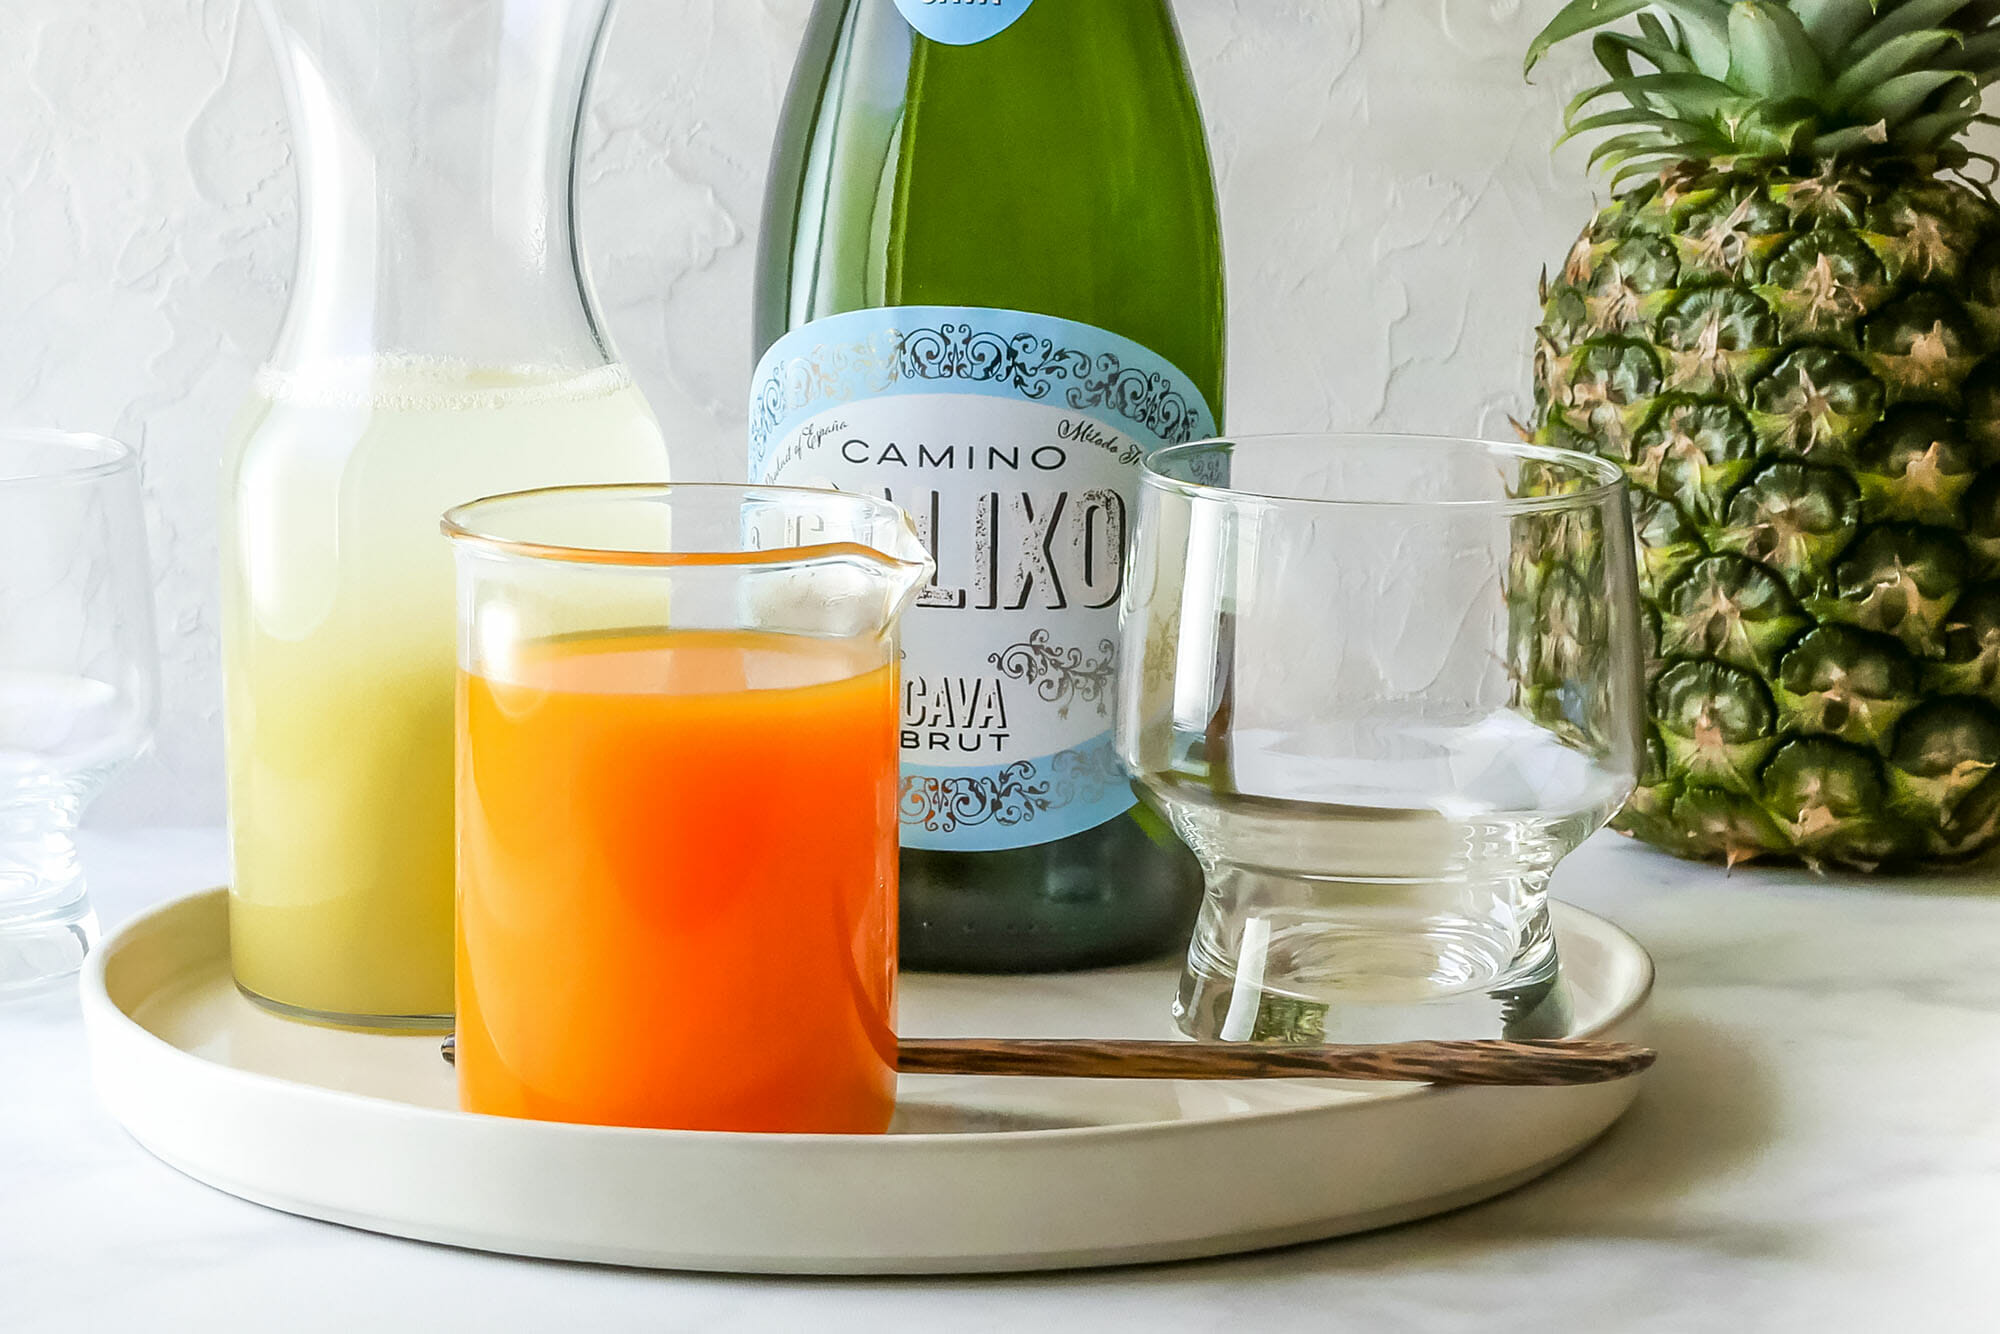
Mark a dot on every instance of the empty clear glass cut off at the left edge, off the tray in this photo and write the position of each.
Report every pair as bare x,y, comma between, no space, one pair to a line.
77,679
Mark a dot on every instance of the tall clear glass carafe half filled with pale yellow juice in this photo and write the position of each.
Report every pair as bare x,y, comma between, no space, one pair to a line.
441,345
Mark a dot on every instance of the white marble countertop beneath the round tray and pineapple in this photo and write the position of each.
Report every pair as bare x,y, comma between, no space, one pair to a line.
1819,1149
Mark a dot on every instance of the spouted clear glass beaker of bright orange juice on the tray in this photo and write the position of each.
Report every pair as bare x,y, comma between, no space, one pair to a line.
677,805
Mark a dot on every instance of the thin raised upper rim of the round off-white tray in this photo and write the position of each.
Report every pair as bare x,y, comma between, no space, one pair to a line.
107,1013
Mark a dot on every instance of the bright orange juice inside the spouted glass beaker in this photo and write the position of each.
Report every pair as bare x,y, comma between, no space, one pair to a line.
677,883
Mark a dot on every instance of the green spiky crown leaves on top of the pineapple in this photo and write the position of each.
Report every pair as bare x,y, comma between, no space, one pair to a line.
1771,81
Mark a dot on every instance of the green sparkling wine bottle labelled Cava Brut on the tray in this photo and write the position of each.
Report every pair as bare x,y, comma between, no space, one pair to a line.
989,285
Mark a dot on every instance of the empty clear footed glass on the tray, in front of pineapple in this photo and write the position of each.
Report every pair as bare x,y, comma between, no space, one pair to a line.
1381,685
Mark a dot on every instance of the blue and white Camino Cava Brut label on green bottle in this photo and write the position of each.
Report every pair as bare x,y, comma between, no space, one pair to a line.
1015,443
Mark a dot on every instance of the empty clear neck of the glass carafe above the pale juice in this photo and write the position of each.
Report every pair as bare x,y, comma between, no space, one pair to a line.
437,169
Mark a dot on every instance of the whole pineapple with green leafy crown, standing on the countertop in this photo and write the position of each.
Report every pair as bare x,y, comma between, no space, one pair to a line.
1789,335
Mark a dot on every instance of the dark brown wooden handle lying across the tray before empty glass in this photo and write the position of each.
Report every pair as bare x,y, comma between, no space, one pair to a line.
1521,1065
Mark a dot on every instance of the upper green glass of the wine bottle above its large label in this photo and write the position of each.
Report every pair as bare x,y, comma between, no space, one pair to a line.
1093,195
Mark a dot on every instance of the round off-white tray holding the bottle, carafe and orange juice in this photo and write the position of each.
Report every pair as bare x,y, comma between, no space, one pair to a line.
977,1175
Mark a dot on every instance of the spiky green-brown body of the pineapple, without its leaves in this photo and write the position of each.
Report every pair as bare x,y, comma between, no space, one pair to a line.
1801,379
